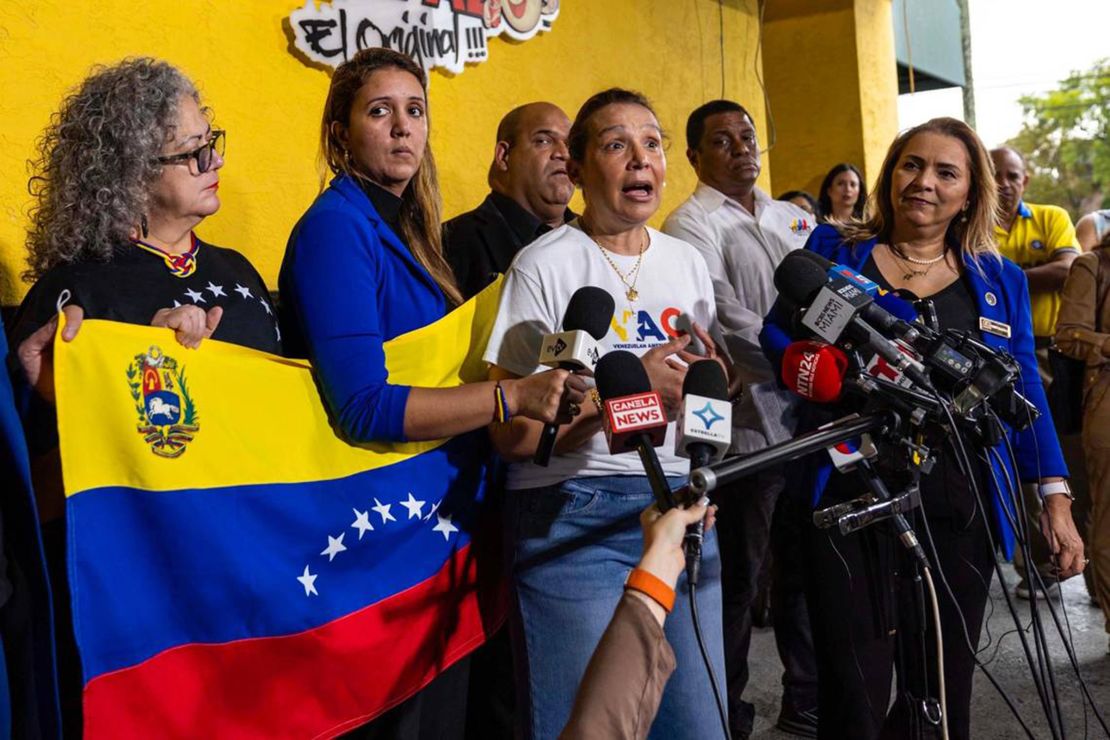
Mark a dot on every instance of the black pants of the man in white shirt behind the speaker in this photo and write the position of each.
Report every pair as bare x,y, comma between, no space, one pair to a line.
749,524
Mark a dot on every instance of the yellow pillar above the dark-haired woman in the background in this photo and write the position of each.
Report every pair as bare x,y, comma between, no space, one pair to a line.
834,88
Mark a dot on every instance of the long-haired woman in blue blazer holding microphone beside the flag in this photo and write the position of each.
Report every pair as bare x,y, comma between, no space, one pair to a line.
366,265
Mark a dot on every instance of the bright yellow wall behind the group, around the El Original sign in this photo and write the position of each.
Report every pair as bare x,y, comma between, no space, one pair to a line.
270,102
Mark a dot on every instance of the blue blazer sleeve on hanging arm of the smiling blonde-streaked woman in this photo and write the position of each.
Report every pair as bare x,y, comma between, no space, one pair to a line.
1037,449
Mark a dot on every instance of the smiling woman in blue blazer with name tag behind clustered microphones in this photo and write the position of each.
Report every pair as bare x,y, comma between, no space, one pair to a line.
931,235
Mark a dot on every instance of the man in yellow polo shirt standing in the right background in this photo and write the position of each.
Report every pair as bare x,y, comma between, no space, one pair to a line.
1043,241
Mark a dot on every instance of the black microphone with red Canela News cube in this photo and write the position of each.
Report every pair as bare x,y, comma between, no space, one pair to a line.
634,418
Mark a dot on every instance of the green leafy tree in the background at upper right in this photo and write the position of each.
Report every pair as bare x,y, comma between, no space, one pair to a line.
1066,141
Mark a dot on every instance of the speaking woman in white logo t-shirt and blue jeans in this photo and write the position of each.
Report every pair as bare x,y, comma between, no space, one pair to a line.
573,526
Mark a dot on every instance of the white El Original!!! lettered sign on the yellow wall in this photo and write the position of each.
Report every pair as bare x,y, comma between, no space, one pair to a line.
445,34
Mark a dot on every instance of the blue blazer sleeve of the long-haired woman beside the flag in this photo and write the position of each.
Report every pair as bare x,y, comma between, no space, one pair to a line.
335,280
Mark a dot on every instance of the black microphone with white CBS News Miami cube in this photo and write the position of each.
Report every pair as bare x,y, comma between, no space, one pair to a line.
837,308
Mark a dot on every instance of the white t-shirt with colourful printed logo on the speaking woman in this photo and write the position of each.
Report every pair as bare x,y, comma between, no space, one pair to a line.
673,280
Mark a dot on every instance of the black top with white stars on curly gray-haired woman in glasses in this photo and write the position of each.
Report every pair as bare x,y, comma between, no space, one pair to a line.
135,285
